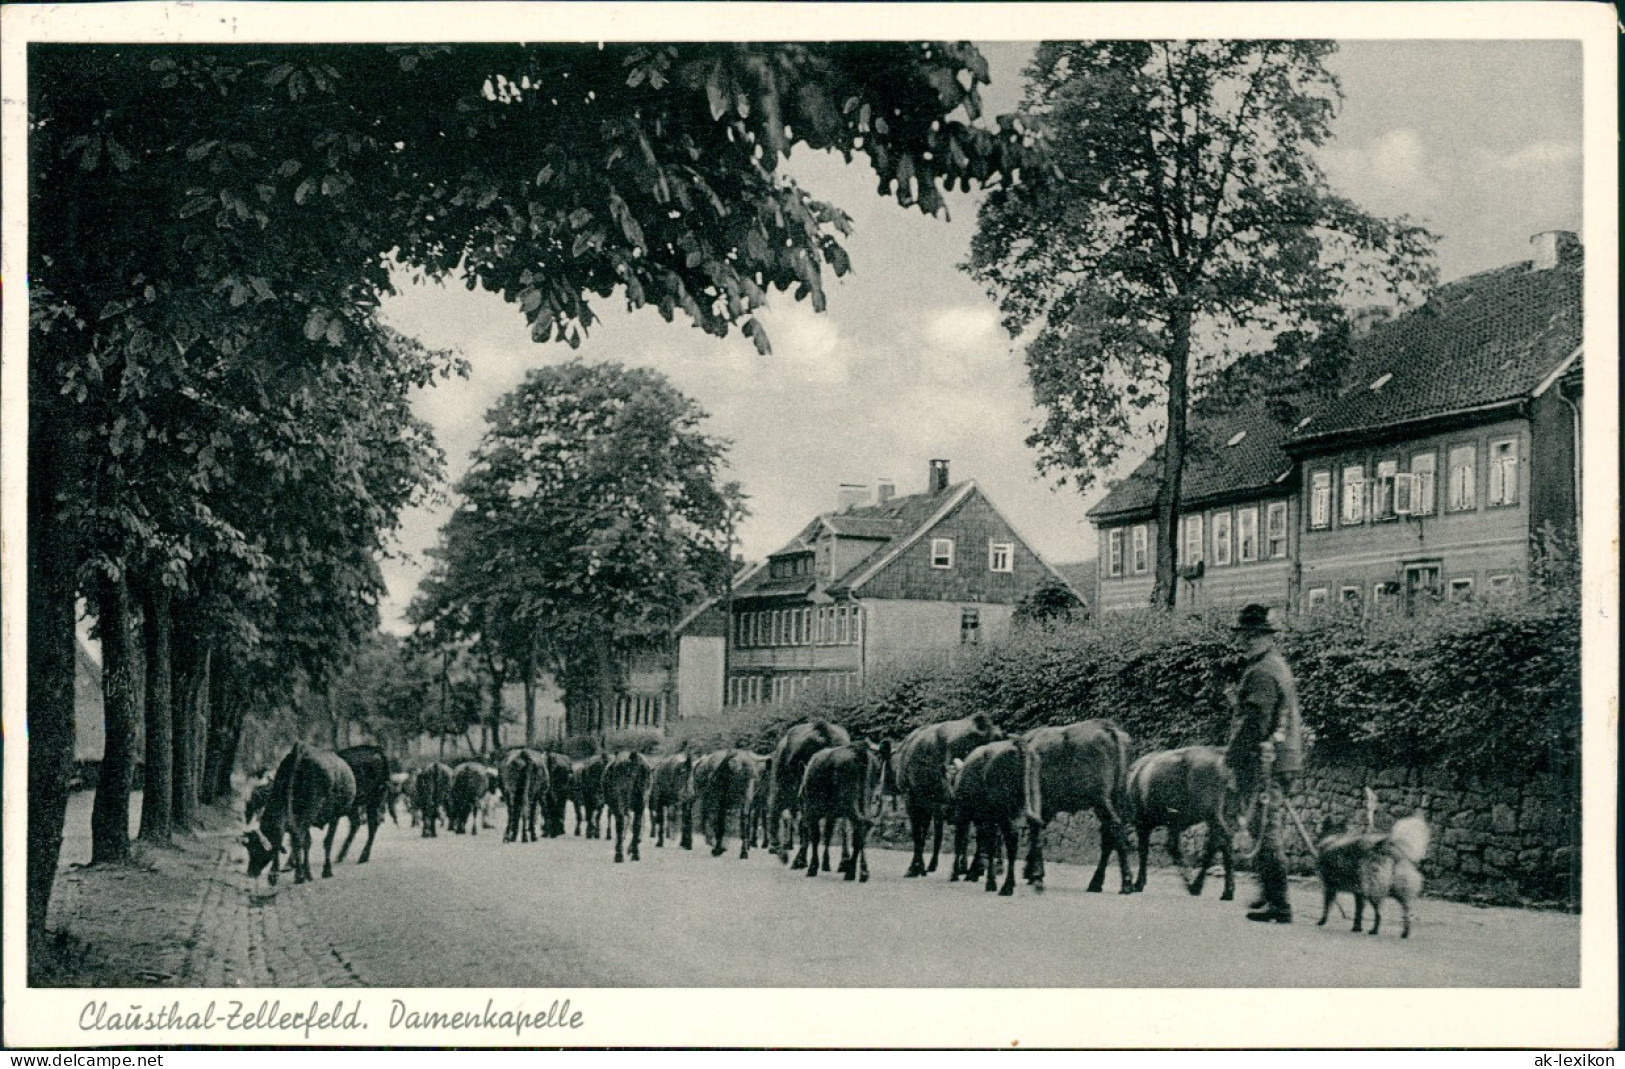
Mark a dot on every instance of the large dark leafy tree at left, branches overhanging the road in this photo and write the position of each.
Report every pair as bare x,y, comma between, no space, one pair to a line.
180,194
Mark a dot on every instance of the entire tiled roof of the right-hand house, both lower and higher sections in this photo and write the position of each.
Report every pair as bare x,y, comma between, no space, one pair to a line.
1481,340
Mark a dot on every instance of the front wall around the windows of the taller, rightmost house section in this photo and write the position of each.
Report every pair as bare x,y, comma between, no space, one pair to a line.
1475,545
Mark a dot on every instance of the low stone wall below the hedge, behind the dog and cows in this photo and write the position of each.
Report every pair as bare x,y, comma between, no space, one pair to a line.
1493,842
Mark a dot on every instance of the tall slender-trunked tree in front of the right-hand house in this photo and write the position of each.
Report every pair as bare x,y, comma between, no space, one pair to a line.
1187,214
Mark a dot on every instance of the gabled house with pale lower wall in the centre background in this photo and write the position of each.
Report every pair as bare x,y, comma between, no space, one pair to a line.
875,584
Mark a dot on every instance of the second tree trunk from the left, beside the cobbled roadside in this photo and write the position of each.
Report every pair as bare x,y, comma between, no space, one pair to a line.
111,811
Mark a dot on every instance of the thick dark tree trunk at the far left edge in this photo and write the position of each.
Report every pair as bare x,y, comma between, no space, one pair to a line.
53,647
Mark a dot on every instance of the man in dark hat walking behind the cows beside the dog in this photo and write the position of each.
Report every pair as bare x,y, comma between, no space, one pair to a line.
1267,750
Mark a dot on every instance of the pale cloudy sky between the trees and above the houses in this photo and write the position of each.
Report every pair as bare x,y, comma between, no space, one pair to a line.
1478,141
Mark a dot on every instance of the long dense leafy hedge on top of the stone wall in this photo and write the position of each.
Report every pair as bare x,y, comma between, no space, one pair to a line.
1480,690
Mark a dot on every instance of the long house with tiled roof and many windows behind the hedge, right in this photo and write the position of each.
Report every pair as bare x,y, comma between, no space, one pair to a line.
1449,451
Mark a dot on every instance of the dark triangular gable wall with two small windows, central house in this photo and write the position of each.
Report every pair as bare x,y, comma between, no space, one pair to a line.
973,527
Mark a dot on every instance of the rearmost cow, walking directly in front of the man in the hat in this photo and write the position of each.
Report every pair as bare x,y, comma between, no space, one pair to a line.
1181,790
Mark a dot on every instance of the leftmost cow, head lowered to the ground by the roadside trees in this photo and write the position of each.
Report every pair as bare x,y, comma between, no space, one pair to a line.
313,789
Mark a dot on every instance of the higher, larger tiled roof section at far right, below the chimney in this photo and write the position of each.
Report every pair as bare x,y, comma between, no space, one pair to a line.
1478,342
